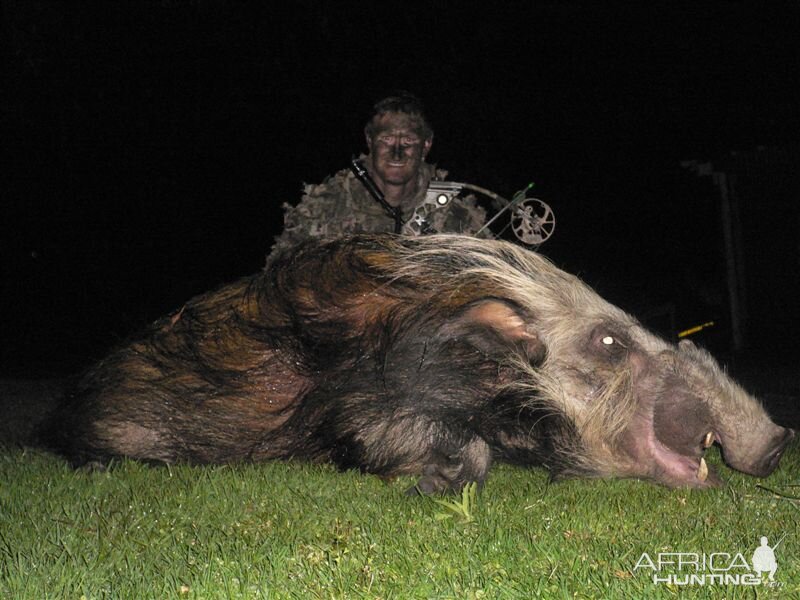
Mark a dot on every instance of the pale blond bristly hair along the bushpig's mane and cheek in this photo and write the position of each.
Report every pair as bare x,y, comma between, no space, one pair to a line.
457,269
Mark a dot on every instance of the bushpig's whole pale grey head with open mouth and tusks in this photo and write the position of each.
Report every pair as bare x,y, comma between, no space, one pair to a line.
641,406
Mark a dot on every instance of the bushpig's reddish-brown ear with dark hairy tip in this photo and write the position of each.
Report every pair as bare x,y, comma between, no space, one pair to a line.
494,327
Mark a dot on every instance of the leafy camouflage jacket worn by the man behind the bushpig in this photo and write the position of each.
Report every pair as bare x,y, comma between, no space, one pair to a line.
341,205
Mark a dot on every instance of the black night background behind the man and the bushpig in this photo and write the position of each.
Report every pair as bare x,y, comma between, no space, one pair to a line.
147,148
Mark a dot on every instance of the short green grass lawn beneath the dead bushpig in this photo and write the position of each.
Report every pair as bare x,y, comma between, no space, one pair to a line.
302,531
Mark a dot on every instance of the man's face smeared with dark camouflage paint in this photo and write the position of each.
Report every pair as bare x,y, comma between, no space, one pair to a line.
397,147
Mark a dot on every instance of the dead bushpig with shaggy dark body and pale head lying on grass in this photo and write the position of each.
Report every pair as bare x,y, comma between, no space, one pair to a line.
433,356
